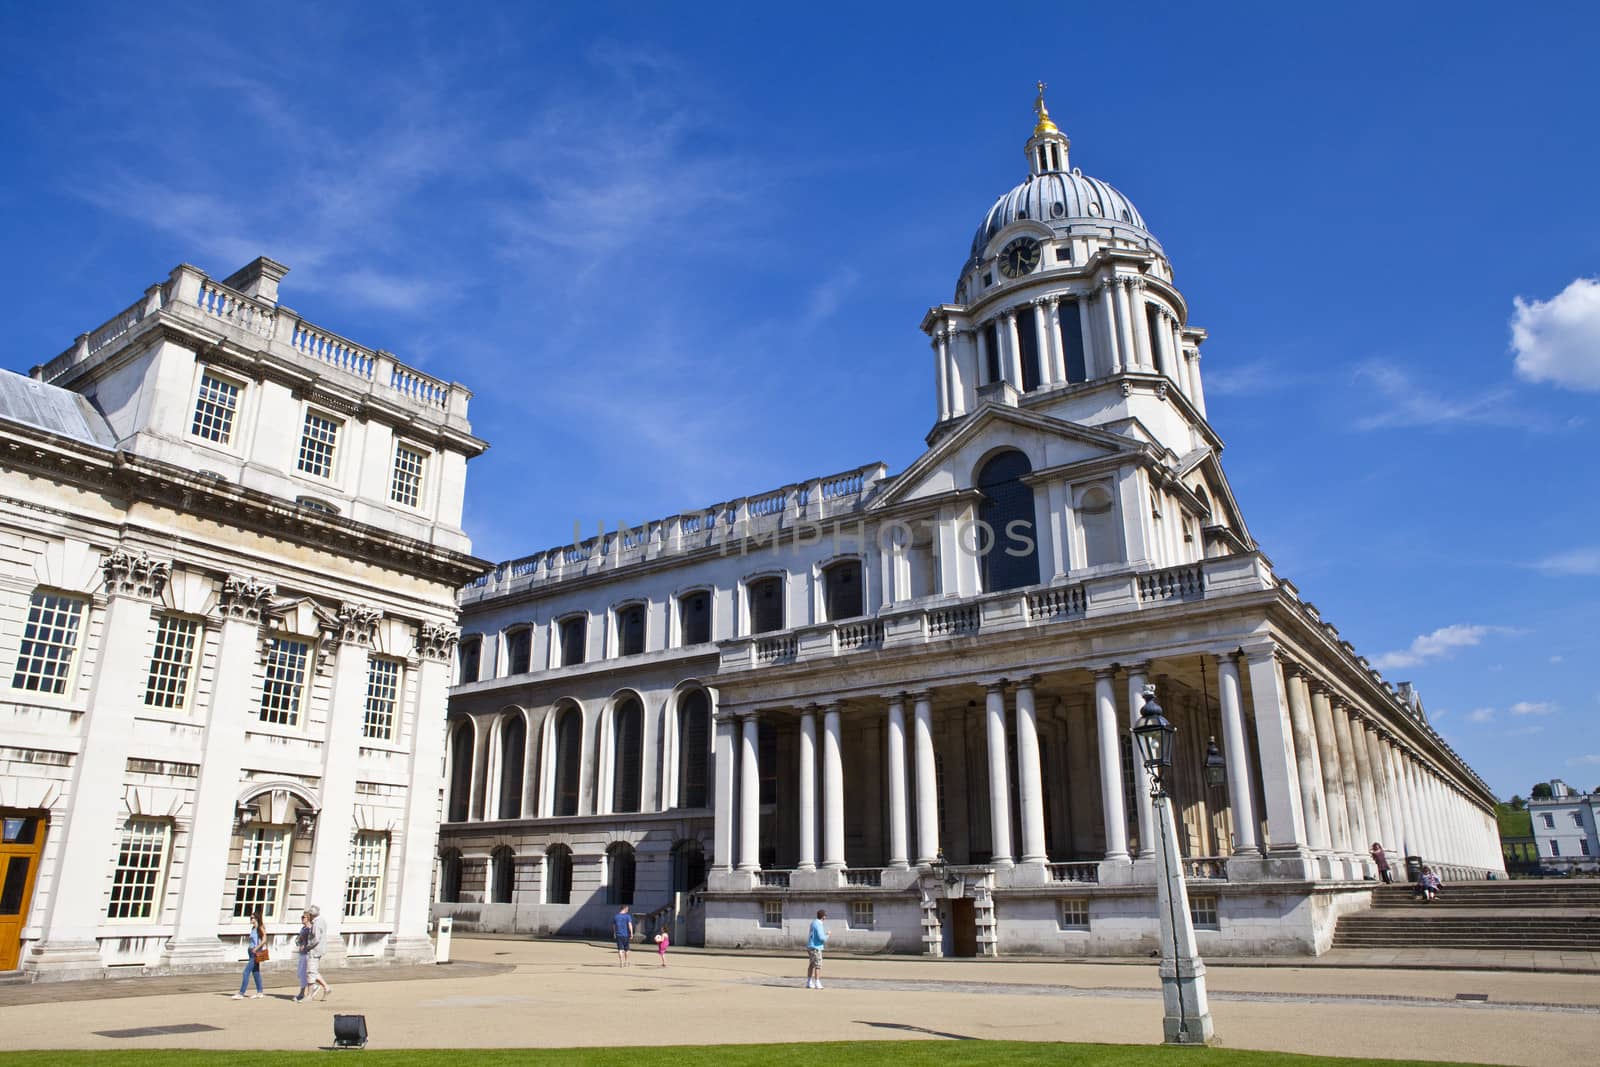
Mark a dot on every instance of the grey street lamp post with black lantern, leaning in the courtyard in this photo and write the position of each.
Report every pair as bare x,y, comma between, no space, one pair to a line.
1188,1020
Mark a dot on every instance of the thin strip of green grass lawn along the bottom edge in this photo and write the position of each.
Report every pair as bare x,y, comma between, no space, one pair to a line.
831,1053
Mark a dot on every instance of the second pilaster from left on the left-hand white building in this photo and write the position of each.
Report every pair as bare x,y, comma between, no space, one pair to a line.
241,610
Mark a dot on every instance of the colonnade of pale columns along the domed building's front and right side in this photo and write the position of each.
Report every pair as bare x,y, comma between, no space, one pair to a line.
1313,780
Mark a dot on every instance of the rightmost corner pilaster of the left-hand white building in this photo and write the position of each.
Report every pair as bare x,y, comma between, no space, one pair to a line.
436,649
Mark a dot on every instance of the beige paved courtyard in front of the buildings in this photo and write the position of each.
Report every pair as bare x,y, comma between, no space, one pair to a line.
564,994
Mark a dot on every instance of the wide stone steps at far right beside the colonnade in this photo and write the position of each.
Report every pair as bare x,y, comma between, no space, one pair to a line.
1532,916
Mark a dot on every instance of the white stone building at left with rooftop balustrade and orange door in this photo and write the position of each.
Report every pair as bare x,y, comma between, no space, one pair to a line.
230,554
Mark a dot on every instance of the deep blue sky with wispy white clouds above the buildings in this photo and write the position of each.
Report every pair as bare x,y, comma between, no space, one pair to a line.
681,254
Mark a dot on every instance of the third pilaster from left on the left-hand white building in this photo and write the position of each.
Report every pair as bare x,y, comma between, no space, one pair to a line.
340,753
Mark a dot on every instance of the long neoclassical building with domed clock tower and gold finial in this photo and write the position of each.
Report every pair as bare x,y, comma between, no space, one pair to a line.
906,697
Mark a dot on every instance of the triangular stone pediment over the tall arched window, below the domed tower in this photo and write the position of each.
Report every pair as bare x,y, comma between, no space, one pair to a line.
953,463
